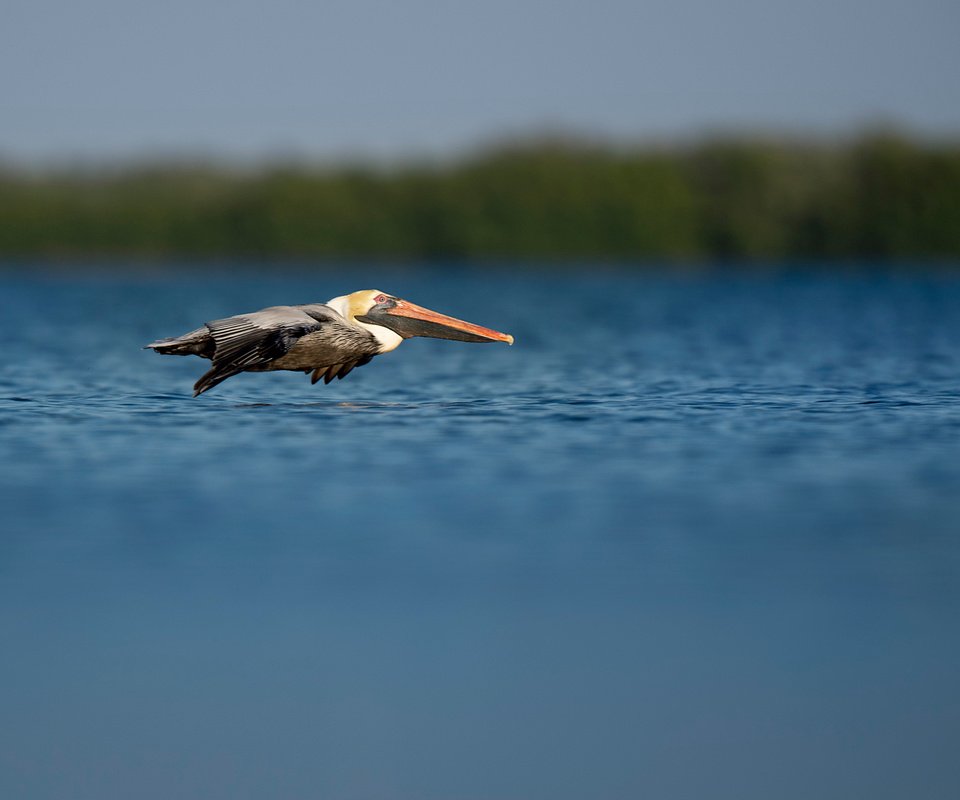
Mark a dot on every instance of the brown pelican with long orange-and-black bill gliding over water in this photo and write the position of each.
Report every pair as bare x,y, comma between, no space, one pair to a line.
325,339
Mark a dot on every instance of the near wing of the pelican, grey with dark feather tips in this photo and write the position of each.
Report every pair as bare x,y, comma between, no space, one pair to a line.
251,340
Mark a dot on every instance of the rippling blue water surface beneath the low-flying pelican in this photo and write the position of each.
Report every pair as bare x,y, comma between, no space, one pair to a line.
692,536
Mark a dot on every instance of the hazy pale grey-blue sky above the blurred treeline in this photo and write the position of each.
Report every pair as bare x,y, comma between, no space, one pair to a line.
119,79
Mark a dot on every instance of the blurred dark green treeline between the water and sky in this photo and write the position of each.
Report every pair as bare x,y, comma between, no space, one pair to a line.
878,196
